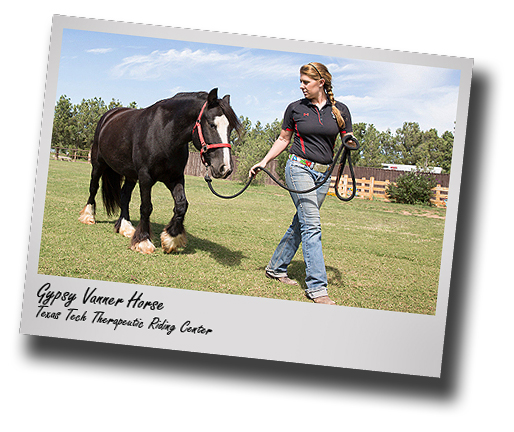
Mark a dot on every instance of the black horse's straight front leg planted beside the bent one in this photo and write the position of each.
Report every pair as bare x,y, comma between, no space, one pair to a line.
141,239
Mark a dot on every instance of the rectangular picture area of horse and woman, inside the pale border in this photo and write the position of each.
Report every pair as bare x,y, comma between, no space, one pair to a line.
124,128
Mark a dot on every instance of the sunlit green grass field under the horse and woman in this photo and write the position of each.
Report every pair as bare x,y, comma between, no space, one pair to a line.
378,255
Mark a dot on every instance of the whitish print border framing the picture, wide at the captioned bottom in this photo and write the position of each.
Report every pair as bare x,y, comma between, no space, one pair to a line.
247,326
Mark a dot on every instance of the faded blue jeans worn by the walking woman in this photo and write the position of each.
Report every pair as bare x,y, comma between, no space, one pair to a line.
305,229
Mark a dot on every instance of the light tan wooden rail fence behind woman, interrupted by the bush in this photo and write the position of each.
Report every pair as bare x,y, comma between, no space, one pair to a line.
376,189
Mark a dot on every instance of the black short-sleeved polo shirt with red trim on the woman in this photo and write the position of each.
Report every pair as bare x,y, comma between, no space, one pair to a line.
315,130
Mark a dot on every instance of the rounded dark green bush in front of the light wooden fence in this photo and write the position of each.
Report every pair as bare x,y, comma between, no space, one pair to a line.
412,188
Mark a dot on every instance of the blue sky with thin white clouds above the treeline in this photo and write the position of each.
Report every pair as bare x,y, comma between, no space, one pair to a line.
261,83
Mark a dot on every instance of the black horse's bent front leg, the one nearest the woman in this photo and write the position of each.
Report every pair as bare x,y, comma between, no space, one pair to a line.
174,234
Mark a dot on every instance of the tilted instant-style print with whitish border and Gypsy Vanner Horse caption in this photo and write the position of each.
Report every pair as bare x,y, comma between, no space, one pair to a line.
187,180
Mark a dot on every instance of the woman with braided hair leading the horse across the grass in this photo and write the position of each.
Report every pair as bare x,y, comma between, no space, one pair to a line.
316,122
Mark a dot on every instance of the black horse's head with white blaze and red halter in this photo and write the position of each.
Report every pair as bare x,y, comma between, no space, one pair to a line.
212,131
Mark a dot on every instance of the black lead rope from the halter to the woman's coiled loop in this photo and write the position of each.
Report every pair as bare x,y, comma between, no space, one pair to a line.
345,149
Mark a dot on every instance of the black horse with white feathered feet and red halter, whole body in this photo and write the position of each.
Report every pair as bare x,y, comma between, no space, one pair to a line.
150,145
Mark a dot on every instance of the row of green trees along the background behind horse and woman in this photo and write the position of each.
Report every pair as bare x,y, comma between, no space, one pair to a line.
74,127
